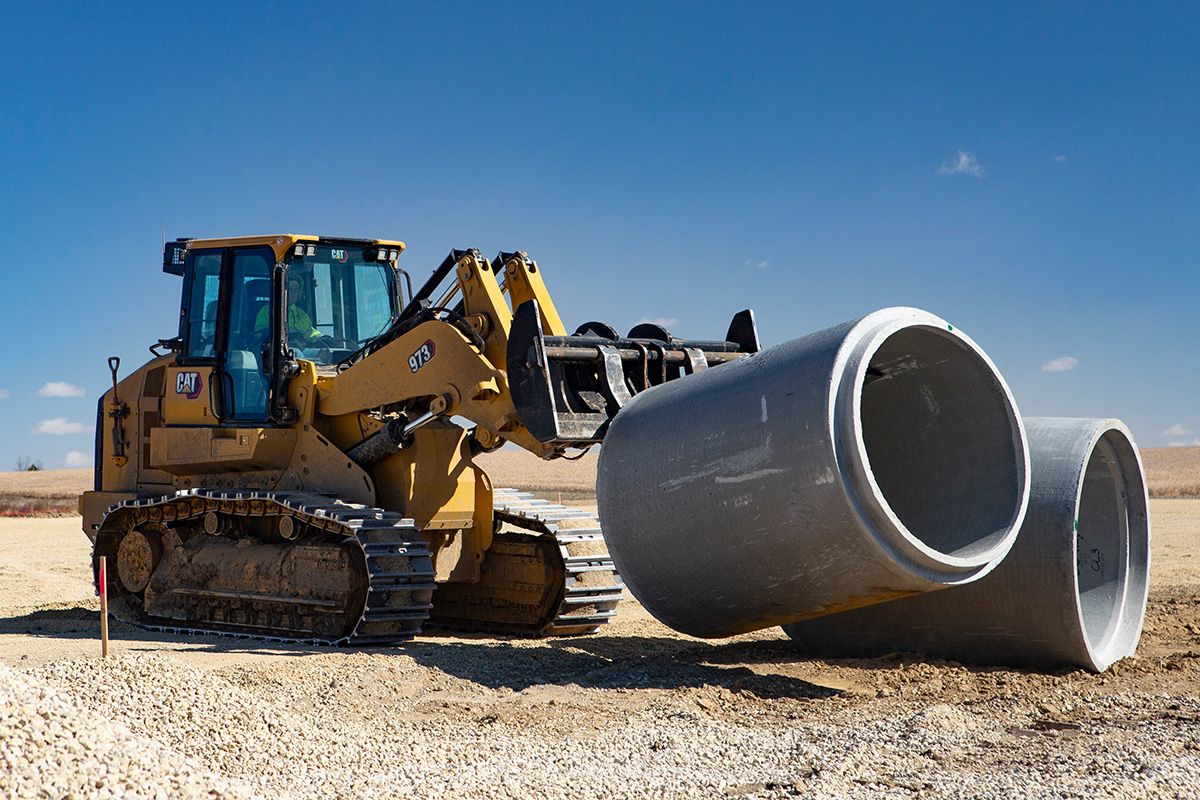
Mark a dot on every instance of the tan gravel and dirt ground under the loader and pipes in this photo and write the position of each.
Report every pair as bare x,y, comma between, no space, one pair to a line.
635,712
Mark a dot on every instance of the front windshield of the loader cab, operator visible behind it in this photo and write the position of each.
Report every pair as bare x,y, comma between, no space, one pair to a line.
337,302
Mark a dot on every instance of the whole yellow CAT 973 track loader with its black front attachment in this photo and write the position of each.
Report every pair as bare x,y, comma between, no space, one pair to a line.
298,464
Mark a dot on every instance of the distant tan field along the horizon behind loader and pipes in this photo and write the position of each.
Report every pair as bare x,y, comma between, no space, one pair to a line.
1172,473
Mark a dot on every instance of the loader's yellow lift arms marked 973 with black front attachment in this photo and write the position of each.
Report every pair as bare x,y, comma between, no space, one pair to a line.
515,372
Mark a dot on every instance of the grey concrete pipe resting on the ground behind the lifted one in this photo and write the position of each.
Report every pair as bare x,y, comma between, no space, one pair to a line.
1071,593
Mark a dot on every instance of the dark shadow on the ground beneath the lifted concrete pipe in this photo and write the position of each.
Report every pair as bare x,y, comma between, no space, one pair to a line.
619,663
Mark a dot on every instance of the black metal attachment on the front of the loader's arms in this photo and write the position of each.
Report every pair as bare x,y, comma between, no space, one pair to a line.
567,389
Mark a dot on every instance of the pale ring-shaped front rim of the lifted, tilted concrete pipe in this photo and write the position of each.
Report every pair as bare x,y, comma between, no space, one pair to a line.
875,512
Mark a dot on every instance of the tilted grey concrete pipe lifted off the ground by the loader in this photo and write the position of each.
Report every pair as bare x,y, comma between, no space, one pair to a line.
871,461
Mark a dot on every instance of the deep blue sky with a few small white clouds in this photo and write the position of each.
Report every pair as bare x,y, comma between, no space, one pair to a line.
1028,172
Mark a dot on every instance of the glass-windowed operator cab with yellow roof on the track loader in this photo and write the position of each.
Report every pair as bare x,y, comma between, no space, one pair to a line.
296,297
